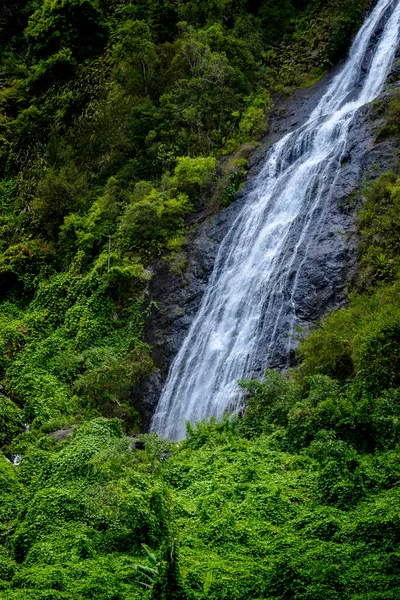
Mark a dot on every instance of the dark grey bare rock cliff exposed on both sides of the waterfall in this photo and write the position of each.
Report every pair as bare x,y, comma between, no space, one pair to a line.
331,263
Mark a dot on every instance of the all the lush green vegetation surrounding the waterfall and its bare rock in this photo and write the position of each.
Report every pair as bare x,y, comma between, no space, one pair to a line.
117,119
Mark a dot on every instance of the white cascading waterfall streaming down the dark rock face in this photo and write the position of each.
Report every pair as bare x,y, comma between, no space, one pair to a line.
251,286
